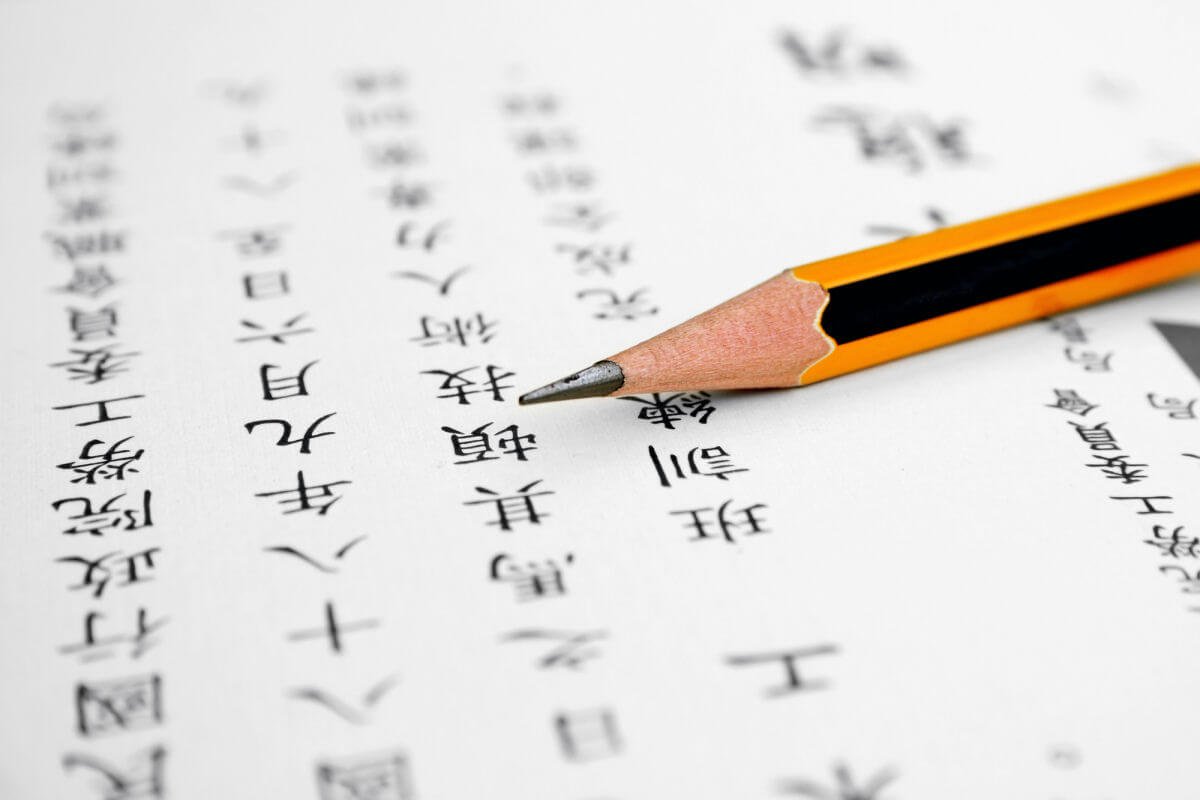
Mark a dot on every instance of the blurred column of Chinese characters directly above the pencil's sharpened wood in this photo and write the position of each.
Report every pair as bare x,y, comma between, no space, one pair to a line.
567,187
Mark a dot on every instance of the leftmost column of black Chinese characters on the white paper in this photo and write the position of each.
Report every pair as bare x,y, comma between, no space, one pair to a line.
106,507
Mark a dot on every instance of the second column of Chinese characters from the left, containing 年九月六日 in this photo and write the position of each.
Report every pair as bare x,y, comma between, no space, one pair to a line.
287,380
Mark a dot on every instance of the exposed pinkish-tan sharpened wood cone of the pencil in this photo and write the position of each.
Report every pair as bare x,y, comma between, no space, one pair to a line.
763,339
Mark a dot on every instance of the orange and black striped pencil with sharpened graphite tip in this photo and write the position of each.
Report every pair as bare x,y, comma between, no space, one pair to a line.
855,311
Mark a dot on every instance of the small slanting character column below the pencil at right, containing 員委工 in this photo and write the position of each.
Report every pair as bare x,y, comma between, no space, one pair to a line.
1179,551
